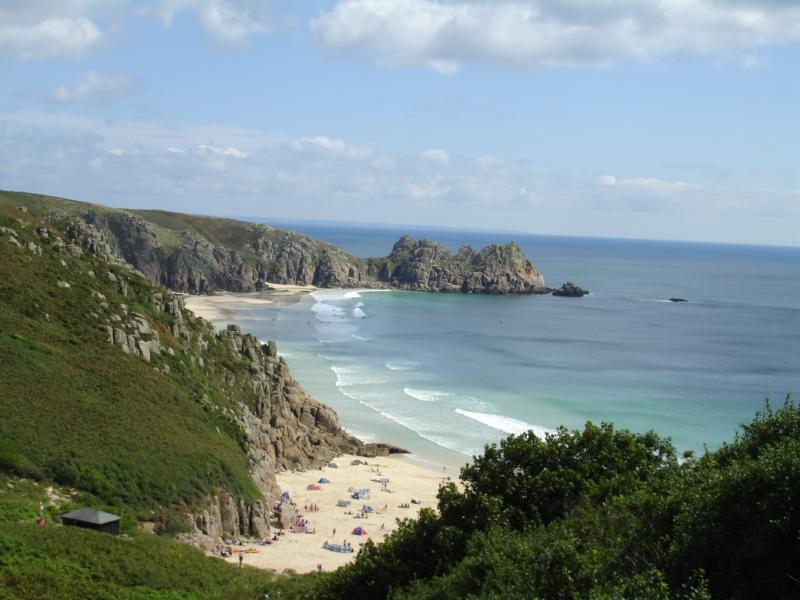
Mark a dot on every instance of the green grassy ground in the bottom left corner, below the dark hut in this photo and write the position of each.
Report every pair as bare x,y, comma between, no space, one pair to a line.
70,563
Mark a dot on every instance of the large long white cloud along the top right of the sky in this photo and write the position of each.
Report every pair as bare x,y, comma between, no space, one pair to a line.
545,33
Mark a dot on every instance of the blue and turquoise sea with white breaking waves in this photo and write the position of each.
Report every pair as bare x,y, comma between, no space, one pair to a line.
442,375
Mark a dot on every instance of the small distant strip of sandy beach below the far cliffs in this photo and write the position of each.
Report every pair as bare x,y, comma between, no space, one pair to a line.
222,305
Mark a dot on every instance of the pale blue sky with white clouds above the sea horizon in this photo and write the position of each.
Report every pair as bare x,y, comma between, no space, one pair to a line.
662,119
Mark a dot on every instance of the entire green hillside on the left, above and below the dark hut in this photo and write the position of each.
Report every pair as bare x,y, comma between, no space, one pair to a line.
148,438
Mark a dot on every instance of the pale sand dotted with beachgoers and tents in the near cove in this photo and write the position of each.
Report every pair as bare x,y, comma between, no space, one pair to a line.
302,552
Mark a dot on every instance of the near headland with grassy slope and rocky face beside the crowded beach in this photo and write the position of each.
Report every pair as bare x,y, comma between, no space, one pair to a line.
111,386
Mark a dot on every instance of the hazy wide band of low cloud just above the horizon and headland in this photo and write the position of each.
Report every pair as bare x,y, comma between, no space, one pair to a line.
177,167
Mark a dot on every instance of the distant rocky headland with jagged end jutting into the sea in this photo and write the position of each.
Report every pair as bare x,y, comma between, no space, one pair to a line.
198,255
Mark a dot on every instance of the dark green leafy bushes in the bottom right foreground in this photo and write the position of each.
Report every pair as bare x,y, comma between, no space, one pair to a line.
601,513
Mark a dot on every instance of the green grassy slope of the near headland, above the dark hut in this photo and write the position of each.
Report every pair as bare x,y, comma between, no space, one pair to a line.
77,410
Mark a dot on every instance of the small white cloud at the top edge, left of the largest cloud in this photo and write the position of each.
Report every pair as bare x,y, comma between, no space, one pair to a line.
229,22
